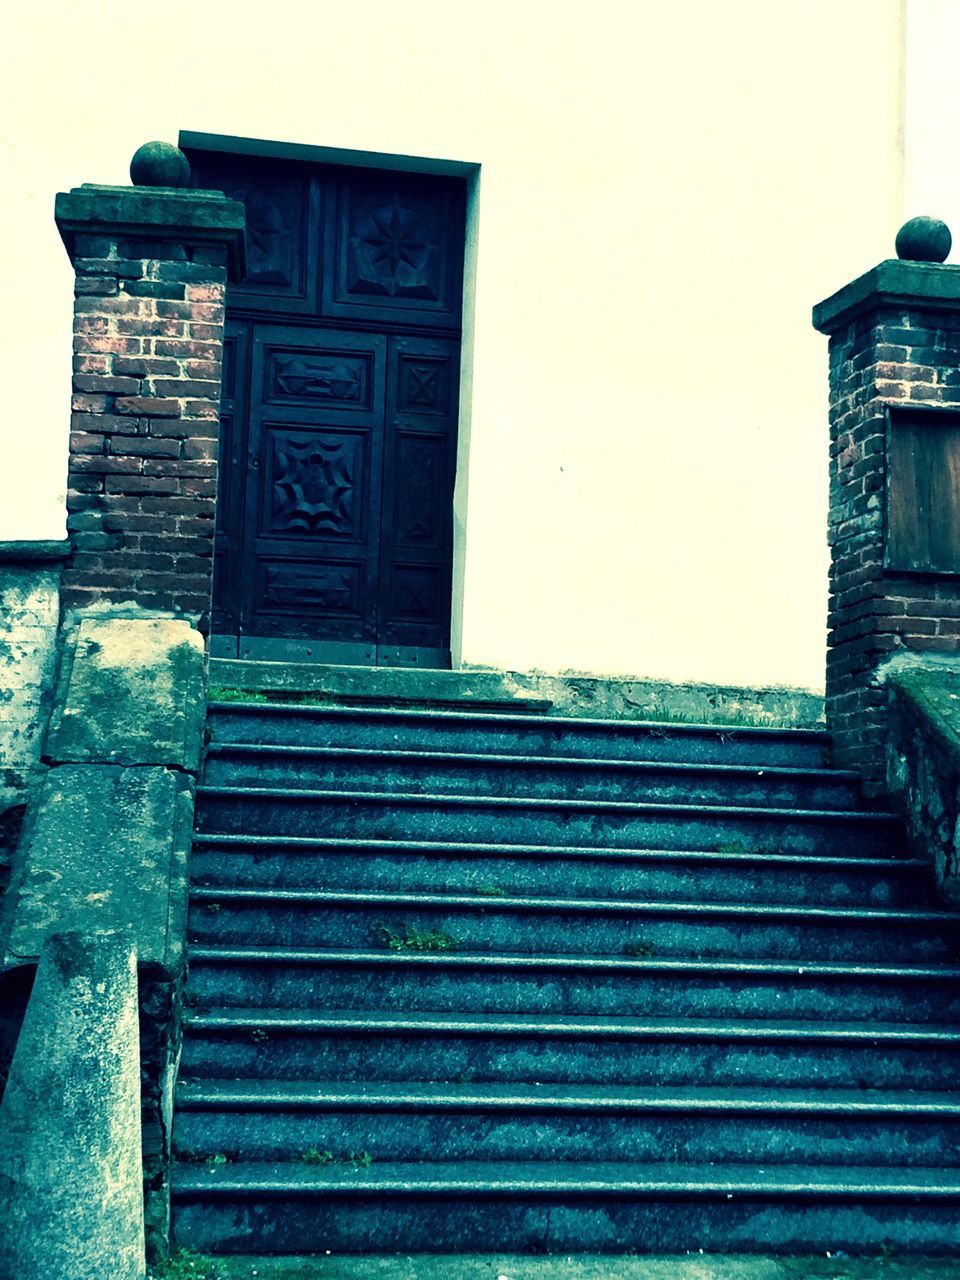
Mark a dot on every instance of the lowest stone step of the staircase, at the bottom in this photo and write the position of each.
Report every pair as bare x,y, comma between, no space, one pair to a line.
614,1208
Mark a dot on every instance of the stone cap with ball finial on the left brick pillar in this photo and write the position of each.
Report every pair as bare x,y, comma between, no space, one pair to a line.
153,211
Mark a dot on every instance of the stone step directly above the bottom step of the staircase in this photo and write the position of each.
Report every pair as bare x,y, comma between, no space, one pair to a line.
319,1122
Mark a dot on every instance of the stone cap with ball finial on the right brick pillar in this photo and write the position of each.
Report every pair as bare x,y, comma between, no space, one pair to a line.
918,277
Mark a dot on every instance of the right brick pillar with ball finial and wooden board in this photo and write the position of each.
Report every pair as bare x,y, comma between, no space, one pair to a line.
894,524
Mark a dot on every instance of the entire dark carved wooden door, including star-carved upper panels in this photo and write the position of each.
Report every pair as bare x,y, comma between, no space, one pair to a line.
340,413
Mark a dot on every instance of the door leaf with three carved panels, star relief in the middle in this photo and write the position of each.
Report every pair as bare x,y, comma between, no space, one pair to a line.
314,482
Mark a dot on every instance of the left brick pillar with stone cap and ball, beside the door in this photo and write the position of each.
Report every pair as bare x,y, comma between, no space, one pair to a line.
152,264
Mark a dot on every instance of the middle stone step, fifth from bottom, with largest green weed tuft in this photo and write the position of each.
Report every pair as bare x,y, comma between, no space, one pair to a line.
536,926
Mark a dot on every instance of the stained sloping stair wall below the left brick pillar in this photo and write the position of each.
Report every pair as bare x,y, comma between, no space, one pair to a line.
107,839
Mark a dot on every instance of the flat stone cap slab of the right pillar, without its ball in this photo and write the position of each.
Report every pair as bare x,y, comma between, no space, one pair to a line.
893,284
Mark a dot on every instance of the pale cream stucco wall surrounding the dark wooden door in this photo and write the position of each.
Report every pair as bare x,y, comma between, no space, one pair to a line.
666,190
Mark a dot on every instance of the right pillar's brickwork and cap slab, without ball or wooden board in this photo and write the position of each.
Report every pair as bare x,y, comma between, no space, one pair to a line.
894,341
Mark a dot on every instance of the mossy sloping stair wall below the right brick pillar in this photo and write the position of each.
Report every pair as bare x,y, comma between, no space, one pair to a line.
924,767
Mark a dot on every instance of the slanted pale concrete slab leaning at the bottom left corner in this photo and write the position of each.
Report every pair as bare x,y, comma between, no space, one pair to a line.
71,1177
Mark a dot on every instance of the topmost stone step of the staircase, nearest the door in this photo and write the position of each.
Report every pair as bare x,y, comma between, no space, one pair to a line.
385,728
